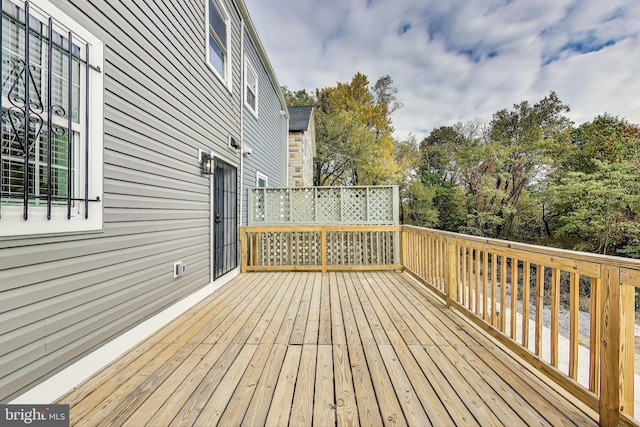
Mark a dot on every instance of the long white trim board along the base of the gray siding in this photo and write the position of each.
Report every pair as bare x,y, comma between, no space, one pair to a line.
62,382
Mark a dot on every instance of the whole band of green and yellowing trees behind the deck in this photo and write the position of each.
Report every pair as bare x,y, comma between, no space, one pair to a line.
526,174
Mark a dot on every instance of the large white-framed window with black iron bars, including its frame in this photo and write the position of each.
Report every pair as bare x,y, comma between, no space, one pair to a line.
51,127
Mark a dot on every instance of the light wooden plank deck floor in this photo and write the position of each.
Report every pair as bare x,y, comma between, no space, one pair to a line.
293,348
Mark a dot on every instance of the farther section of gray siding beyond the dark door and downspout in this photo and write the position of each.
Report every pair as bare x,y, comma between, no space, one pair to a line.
266,134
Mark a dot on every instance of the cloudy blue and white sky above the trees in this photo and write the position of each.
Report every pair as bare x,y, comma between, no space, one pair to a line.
457,60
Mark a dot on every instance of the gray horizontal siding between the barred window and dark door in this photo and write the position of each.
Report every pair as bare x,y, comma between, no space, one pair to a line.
63,296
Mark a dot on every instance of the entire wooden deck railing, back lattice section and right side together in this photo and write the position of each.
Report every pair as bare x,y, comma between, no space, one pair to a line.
516,292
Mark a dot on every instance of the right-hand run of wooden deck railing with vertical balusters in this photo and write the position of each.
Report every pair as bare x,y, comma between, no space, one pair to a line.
508,289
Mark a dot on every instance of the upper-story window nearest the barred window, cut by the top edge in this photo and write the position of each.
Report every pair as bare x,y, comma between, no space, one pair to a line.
218,40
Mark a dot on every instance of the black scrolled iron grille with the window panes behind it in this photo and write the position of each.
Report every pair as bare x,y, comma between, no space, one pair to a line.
45,104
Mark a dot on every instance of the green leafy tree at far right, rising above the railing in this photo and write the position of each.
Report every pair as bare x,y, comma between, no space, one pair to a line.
594,197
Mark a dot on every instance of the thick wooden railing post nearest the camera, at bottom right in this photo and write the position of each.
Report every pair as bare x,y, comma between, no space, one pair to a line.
616,368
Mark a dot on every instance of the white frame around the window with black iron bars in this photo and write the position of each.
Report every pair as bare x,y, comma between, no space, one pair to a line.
11,216
